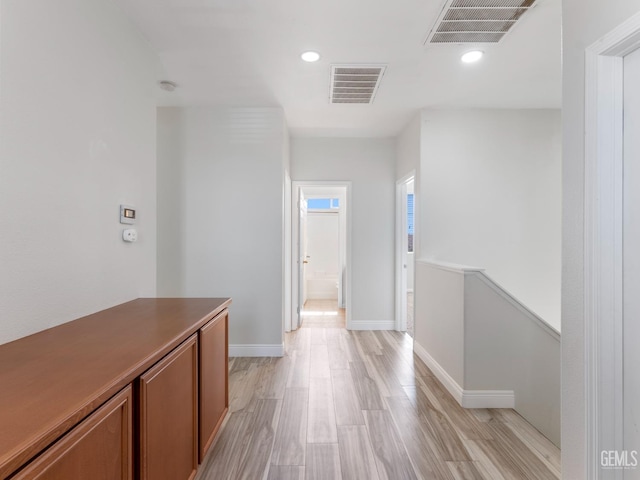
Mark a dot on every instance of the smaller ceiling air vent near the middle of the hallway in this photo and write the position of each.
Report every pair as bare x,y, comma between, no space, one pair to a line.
355,83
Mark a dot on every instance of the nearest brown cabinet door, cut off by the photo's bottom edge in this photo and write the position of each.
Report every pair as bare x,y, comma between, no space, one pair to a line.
99,447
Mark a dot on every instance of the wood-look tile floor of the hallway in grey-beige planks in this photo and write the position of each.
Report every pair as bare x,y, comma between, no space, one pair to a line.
360,405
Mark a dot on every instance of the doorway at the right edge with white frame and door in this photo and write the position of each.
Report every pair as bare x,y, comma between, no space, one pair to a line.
612,256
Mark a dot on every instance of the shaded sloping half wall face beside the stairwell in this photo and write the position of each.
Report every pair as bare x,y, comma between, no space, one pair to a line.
507,350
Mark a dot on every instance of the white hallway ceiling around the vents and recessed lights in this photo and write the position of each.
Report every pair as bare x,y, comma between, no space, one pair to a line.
247,53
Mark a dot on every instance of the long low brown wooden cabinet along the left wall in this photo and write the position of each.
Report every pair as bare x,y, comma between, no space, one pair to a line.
135,391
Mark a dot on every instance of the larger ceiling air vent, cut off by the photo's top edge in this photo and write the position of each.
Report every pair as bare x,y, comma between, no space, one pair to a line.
477,21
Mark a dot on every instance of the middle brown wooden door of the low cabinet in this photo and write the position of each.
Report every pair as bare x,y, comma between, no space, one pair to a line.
169,415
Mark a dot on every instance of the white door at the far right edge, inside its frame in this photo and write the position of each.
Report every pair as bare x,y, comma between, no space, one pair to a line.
631,263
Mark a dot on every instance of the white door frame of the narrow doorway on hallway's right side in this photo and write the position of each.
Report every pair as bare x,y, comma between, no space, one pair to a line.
401,224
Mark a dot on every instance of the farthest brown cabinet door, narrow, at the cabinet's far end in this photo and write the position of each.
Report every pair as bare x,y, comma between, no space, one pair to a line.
214,379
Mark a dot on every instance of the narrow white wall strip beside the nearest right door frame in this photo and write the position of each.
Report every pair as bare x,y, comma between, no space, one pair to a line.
584,22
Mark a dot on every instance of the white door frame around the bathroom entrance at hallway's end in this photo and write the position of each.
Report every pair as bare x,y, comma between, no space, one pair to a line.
297,185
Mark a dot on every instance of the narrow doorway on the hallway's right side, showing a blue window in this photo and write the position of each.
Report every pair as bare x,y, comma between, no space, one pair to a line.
405,254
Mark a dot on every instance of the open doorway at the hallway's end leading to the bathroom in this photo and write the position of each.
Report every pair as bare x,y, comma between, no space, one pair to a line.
320,254
